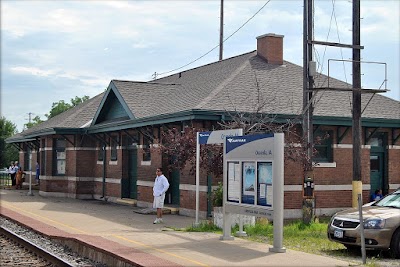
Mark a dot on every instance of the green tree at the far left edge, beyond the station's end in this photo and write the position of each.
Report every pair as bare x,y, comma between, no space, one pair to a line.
8,152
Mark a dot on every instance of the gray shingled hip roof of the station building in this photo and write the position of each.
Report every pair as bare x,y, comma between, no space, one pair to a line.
227,85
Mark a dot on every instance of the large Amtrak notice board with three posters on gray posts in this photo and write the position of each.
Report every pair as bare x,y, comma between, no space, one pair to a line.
253,181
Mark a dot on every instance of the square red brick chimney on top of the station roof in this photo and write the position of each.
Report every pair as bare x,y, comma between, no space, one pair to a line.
270,47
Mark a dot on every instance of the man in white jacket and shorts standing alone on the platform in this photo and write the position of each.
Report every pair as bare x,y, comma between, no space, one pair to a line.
161,186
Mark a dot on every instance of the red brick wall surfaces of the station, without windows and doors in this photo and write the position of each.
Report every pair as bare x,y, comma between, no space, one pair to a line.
83,163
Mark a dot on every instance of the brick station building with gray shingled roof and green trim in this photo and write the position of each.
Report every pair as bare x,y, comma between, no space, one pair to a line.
101,149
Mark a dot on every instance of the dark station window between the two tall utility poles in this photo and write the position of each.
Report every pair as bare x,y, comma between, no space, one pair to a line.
323,146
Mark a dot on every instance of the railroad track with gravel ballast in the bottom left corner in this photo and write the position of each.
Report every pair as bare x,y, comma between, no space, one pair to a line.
18,251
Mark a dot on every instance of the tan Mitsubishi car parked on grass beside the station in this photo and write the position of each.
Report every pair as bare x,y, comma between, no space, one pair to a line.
381,225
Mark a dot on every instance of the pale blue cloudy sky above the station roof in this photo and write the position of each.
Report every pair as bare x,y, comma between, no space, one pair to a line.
56,50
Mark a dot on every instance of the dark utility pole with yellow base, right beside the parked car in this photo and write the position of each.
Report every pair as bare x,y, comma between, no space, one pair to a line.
356,128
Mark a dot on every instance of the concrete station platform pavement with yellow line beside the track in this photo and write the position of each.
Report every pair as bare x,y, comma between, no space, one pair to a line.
123,231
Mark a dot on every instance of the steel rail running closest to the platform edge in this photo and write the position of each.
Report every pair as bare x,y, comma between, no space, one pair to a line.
52,259
